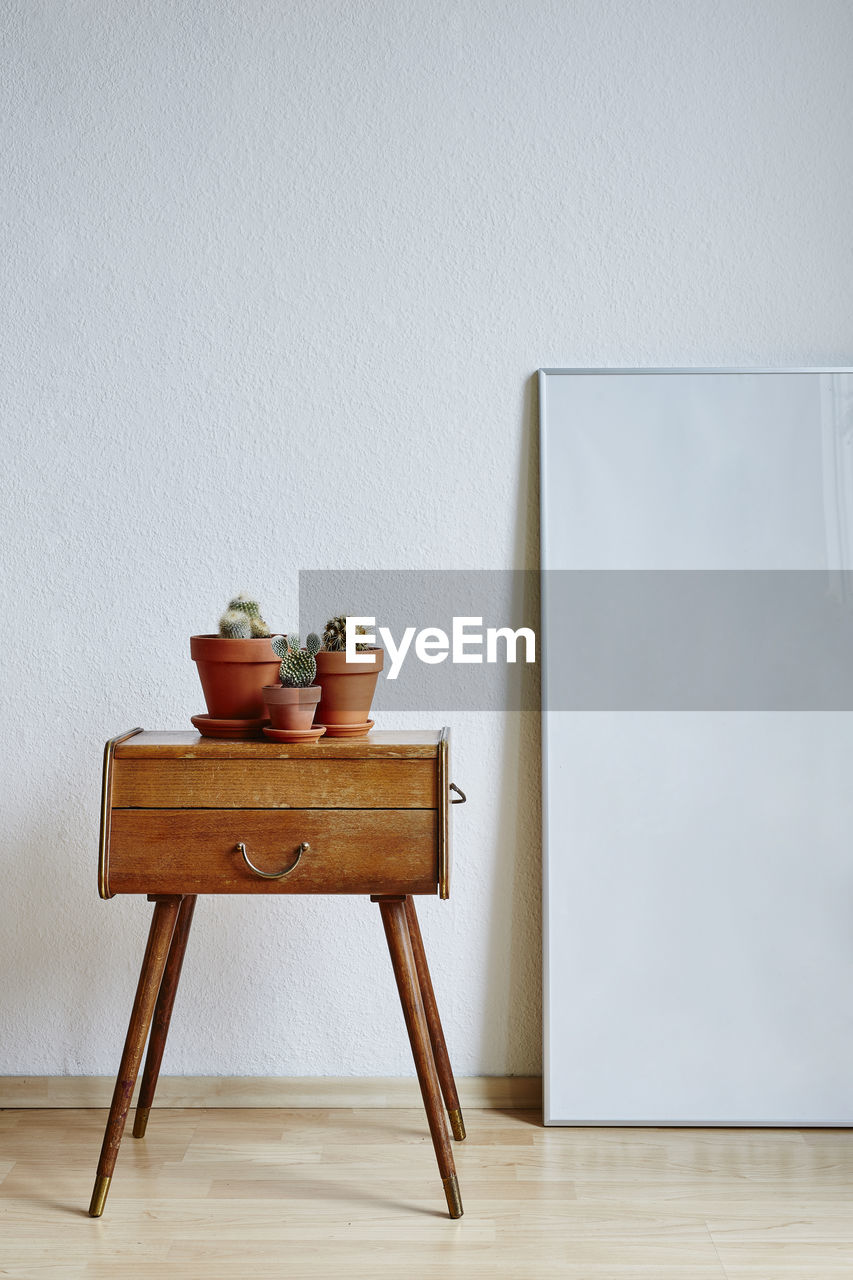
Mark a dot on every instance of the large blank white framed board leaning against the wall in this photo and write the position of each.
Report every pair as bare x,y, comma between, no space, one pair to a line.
697,540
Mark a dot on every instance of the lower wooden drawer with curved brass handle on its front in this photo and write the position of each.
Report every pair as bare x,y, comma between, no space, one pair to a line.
195,851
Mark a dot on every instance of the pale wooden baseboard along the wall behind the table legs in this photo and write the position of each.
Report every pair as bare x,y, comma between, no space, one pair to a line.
490,1092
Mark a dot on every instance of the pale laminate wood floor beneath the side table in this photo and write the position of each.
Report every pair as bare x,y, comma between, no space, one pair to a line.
225,1195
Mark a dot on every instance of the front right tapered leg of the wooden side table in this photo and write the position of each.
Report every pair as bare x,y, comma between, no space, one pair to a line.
394,918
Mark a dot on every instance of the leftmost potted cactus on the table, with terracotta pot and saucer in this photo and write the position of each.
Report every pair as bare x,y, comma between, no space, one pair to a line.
235,665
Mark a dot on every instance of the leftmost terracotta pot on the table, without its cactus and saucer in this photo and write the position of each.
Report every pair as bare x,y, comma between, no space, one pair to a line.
234,674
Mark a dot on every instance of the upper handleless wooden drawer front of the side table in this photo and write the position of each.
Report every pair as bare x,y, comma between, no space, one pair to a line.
273,784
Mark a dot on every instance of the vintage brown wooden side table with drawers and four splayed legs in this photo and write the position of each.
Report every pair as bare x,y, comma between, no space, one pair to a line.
185,815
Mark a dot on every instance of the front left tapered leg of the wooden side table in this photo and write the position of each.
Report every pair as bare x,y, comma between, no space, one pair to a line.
157,952
